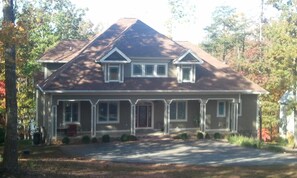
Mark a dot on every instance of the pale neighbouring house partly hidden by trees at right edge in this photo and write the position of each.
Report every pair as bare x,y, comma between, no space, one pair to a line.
286,115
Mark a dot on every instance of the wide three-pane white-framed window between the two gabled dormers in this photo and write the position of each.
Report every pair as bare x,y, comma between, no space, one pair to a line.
149,70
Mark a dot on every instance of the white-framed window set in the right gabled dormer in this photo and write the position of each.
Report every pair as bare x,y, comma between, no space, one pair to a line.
186,73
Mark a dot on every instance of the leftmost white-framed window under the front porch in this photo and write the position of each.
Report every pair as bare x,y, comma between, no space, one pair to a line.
71,112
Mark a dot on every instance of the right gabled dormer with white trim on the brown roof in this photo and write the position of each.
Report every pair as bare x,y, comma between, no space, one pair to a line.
186,67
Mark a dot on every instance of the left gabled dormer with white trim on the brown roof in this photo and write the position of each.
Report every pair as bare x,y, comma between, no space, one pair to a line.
113,65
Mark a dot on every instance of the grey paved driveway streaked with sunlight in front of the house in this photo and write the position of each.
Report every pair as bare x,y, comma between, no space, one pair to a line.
204,152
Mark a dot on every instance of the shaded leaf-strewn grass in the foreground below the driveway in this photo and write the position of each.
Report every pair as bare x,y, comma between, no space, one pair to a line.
49,161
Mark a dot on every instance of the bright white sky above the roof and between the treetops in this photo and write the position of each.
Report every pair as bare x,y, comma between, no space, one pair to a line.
156,13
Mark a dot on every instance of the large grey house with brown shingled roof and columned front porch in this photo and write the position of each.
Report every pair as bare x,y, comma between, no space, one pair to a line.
132,79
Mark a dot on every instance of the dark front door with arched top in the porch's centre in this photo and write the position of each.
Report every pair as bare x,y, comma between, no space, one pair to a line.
144,115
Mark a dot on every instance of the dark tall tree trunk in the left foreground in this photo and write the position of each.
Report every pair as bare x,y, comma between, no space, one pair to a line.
10,156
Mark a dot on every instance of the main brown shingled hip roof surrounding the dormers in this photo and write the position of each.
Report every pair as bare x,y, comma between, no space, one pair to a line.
136,39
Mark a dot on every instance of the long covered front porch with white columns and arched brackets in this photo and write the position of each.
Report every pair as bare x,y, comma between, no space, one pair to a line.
141,116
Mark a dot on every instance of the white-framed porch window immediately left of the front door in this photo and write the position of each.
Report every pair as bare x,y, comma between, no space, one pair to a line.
108,112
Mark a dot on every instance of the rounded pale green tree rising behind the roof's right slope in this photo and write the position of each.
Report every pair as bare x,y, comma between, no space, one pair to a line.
228,30
